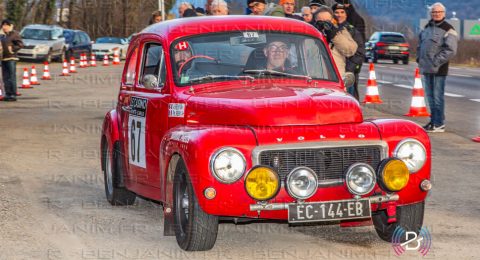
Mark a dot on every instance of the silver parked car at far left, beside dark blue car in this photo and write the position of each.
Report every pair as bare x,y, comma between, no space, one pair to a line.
43,42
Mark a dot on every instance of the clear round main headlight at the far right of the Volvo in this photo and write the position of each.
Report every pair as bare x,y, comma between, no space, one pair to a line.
412,152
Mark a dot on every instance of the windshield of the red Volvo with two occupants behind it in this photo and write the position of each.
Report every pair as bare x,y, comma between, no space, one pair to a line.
249,55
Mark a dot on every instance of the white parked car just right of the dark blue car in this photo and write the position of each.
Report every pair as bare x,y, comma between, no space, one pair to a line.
107,45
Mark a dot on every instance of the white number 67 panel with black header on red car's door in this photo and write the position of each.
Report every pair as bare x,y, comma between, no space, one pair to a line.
136,132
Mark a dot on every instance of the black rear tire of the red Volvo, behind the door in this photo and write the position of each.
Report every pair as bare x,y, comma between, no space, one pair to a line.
116,196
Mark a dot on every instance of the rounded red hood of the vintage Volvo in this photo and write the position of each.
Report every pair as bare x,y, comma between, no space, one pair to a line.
273,105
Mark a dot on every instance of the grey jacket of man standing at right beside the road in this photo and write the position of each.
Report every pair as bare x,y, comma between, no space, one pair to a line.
436,46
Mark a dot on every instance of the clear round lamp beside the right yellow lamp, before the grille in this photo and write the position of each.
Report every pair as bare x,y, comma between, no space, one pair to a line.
360,178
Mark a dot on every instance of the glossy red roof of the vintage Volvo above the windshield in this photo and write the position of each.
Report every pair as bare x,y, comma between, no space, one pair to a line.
176,28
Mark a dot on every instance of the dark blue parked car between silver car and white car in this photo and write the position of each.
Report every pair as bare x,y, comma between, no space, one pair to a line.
78,42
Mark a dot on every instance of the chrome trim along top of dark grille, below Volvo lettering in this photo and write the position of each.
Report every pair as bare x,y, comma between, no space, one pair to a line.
318,145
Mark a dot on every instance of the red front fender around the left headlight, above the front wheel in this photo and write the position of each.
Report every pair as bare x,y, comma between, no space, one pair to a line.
195,145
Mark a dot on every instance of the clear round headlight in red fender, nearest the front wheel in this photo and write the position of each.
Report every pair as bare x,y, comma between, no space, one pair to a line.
228,165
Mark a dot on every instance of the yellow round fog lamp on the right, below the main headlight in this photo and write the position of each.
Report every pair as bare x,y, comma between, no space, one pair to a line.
393,174
